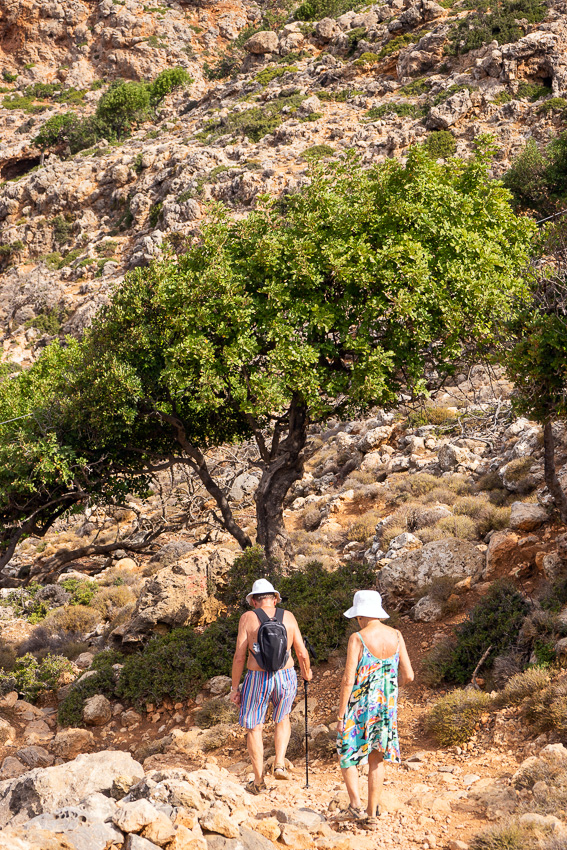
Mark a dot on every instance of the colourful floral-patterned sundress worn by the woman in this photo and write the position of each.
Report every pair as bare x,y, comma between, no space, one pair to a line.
371,718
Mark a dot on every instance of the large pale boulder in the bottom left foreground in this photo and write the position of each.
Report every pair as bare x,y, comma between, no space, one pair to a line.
50,788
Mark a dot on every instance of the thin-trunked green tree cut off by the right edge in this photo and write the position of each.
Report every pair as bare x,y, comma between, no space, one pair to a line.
537,362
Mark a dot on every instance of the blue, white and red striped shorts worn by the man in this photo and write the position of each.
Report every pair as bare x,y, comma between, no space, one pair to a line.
259,688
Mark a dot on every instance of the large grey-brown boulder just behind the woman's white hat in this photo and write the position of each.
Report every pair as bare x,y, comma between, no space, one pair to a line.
441,558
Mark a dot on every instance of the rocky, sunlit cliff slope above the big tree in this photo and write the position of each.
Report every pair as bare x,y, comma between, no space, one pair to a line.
376,81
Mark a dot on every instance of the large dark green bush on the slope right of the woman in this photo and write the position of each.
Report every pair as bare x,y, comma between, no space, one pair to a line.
494,622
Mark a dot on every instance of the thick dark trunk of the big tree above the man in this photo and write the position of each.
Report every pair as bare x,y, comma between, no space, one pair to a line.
284,467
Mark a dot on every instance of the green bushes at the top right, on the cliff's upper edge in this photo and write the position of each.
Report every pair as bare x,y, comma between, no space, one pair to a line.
500,23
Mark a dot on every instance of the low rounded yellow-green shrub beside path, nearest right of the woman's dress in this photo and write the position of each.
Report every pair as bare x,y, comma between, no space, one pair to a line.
453,720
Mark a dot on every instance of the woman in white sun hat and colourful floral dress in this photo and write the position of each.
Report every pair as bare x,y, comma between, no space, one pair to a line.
367,730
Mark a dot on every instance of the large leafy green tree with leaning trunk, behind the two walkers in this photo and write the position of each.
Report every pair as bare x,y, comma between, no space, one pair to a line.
366,284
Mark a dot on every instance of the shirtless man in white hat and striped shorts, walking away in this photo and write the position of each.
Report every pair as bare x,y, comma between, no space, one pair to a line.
261,686
